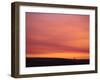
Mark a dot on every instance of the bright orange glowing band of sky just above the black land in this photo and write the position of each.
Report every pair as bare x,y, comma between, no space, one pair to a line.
65,55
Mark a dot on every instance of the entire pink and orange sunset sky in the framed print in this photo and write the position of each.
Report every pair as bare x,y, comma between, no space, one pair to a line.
57,35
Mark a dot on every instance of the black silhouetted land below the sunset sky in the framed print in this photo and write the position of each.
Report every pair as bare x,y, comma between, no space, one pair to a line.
36,62
